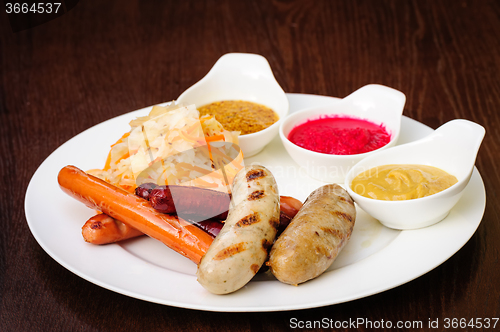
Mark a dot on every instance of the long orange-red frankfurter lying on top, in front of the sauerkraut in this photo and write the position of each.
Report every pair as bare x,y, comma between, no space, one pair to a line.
176,233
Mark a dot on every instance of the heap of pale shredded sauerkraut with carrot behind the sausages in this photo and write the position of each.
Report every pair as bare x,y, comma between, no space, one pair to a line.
172,145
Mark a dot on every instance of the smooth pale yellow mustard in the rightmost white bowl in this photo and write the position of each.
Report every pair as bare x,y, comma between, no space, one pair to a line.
401,182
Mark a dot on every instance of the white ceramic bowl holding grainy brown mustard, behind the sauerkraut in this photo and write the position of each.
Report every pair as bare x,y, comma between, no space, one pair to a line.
241,76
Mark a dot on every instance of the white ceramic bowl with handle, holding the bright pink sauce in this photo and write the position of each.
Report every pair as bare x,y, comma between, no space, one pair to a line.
376,103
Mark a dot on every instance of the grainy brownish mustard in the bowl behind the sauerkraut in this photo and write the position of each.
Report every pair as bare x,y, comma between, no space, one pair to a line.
243,116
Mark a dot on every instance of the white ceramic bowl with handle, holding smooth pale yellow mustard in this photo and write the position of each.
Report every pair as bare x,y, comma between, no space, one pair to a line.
452,147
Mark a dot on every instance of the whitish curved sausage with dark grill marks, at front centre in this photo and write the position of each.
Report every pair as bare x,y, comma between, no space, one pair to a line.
241,247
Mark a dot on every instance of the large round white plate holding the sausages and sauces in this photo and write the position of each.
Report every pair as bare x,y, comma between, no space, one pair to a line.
375,259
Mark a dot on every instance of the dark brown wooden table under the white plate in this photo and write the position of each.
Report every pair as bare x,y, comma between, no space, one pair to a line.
106,58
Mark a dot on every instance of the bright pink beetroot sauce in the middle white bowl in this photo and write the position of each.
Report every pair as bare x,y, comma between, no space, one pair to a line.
340,135
